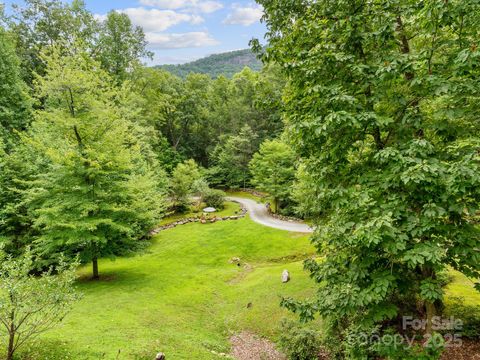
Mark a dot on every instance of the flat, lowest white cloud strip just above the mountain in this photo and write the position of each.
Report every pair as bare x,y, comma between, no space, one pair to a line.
179,41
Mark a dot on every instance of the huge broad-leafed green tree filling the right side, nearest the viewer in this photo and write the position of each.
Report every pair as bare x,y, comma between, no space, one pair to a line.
382,104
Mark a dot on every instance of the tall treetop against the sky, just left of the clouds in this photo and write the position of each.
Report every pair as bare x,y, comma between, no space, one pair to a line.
121,45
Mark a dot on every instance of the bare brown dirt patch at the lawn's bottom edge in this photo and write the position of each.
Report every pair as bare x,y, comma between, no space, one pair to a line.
247,346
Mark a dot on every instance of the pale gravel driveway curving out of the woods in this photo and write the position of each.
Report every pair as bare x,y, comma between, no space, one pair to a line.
259,214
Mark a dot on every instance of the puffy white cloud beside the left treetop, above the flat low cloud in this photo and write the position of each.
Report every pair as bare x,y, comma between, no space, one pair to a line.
158,20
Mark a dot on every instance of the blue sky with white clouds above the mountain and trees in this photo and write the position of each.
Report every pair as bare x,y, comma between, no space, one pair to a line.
179,31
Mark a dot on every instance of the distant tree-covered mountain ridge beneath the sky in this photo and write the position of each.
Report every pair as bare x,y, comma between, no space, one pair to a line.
226,64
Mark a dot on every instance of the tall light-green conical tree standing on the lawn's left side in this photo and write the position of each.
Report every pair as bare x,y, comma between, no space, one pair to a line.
96,194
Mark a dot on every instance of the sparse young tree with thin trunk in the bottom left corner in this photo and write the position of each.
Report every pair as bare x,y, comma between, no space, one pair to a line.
31,305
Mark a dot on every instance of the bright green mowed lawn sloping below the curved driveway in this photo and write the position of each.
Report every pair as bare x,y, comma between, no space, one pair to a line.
182,296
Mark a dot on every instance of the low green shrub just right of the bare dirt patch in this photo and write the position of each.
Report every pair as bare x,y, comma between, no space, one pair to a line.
299,342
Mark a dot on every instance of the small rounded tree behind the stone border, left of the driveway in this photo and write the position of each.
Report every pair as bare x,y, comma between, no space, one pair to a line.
183,182
